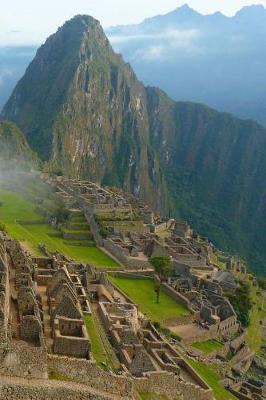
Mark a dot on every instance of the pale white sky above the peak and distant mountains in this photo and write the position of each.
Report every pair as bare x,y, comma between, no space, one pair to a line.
31,21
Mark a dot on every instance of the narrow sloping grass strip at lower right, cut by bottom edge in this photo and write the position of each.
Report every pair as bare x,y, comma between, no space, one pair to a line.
212,379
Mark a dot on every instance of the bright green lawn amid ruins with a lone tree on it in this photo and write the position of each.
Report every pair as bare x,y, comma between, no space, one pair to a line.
142,292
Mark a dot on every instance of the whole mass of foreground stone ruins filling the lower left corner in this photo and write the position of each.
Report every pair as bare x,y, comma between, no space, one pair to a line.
42,330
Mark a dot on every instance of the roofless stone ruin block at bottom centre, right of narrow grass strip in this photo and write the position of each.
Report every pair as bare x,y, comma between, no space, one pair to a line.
140,347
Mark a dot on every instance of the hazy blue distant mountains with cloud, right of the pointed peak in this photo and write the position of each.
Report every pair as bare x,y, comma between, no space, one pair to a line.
211,59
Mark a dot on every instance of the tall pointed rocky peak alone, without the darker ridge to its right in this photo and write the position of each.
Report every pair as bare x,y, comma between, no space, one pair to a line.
81,107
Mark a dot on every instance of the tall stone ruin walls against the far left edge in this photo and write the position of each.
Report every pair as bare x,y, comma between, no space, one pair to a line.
23,348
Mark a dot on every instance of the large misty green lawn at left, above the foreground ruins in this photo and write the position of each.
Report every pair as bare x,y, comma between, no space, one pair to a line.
16,208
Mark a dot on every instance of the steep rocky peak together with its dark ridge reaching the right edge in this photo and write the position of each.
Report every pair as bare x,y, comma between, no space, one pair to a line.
82,108
